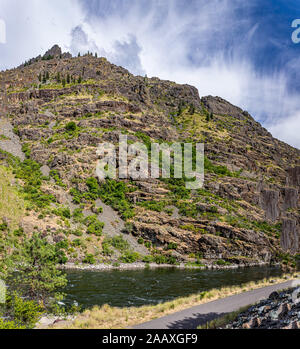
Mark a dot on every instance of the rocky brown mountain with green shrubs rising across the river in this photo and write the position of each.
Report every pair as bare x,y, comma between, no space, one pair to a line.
56,109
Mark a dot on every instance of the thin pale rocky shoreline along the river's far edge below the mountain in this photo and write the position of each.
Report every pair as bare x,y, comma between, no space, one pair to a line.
141,265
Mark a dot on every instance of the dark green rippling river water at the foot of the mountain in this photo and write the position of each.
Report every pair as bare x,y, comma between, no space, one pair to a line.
142,287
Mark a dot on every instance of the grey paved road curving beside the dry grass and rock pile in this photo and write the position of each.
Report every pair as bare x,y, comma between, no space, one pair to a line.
193,317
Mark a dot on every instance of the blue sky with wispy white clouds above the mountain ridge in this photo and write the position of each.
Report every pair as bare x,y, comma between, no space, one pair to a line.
239,50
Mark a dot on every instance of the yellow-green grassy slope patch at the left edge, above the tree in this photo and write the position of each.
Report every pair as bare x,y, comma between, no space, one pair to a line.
11,204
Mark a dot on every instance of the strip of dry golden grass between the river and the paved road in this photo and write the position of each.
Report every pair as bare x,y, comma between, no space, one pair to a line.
107,317
